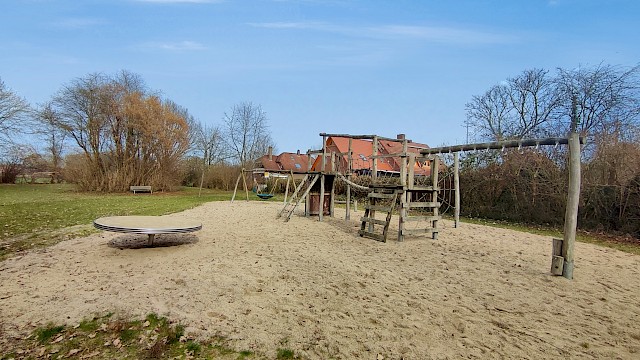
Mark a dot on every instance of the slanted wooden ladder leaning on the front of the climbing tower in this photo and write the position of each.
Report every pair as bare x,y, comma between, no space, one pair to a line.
380,199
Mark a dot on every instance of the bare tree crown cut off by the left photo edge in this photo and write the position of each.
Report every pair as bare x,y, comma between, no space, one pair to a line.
14,111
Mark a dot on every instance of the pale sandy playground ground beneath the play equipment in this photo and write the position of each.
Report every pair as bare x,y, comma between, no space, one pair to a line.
318,289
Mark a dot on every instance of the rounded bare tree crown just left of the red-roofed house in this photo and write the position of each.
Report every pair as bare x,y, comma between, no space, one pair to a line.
246,132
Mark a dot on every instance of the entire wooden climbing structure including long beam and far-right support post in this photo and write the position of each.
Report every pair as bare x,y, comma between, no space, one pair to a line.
412,191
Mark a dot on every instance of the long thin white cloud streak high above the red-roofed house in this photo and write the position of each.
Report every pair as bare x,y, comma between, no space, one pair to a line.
399,32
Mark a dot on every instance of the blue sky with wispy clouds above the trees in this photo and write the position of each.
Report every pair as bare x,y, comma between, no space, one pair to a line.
336,66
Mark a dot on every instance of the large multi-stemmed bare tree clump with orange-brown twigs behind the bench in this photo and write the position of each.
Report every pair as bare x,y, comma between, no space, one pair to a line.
127,137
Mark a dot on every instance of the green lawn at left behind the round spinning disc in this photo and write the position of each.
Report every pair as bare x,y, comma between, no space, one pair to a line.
44,214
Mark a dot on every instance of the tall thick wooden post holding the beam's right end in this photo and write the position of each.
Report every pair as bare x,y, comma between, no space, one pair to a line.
573,200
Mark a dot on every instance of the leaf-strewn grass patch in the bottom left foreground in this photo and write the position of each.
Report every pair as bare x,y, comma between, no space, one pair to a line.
106,337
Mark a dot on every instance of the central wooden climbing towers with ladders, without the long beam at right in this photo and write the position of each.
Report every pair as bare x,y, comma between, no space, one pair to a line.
418,200
